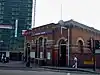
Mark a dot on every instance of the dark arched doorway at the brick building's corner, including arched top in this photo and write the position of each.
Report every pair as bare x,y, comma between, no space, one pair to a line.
62,53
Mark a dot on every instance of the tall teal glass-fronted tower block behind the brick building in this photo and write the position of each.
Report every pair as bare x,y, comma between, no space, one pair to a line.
10,11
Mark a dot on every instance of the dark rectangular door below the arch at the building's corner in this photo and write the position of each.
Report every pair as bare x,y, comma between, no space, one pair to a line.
63,55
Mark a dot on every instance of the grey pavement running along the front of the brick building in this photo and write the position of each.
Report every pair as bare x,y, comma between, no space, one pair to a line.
19,65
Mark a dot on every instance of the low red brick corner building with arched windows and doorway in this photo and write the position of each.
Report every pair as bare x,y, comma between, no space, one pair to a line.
55,42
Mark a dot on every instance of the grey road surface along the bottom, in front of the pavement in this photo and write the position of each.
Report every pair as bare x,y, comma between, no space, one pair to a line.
21,72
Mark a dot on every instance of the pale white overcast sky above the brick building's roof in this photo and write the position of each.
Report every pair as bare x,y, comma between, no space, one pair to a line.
83,11
